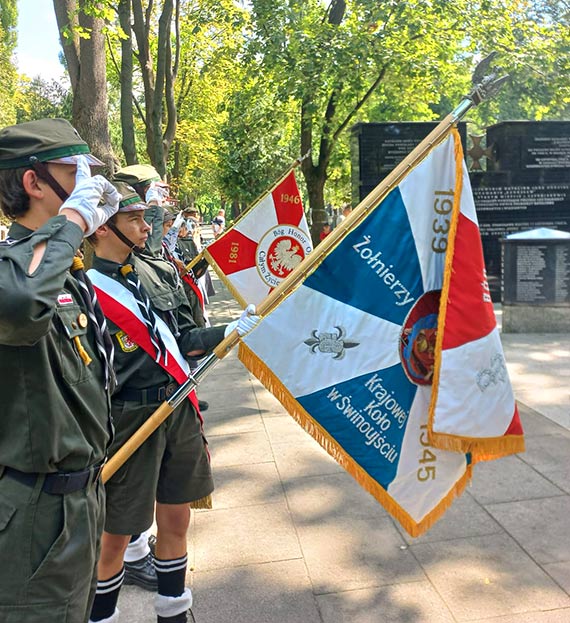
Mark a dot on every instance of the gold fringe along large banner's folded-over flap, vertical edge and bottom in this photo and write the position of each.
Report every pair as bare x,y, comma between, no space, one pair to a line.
482,448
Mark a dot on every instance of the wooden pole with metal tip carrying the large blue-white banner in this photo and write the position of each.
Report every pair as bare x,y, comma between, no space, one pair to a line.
484,86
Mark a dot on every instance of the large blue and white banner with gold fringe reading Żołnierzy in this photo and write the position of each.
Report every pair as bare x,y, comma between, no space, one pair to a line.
351,351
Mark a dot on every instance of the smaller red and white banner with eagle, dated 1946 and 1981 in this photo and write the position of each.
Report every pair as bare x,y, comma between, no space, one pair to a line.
264,245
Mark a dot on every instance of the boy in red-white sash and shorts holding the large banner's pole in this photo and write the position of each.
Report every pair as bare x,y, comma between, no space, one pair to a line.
153,332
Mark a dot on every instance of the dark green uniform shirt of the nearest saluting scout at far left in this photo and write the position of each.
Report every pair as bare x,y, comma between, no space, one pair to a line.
54,408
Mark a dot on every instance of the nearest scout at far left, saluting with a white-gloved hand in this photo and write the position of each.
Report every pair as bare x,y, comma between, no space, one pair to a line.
55,375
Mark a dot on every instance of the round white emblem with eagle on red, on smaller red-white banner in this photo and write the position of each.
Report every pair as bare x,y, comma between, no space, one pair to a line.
280,251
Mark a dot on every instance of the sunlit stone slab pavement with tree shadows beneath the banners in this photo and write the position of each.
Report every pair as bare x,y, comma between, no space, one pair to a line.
293,539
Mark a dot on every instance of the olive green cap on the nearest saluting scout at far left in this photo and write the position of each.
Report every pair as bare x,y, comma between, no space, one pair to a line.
44,140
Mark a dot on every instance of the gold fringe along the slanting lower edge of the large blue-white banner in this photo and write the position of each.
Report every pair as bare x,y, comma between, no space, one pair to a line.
302,417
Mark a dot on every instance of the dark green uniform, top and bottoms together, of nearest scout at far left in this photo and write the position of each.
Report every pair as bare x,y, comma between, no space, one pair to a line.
55,418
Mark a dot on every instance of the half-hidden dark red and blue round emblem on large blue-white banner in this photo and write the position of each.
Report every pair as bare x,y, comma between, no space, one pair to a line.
418,337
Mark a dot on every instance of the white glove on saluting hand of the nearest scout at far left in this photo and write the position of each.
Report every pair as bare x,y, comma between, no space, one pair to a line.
95,199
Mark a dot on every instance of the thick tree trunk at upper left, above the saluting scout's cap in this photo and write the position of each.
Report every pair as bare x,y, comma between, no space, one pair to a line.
87,70
